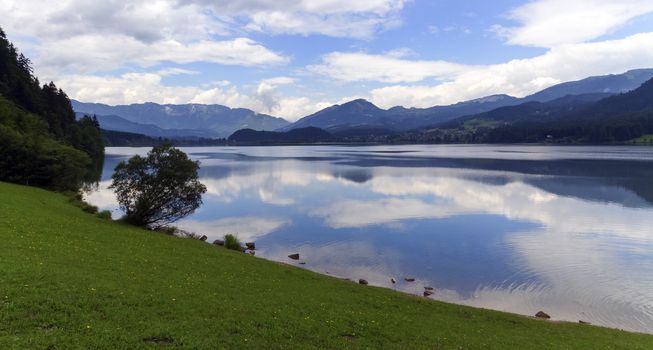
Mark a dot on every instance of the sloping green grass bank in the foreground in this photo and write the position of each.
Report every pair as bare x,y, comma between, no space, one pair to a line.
71,280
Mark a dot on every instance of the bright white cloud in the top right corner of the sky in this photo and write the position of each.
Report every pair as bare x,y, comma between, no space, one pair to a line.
550,23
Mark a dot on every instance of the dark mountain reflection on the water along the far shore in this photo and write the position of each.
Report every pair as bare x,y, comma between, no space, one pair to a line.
627,182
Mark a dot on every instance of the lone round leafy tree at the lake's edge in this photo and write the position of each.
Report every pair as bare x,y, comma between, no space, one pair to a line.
159,189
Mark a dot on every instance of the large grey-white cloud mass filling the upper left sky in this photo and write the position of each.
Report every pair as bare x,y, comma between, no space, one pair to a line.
77,35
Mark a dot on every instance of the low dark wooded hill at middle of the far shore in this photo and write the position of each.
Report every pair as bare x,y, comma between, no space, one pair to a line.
301,135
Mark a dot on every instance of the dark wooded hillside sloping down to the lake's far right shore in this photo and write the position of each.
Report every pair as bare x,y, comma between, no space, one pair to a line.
588,118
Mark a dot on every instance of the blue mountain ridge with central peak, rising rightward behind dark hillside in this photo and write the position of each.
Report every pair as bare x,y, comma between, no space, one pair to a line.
362,115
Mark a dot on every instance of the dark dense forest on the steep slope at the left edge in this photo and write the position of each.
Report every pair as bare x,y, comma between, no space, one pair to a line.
41,142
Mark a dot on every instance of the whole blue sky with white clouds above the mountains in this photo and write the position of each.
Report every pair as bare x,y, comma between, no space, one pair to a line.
291,58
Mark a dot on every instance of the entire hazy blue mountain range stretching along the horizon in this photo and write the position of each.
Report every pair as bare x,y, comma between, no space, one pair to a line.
360,118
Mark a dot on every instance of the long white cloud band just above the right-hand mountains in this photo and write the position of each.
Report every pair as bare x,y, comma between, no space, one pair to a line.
517,77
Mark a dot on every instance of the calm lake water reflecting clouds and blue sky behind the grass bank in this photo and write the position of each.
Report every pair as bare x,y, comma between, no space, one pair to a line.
566,230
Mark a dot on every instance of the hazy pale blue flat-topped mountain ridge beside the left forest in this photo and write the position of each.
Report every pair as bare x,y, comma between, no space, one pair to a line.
201,120
